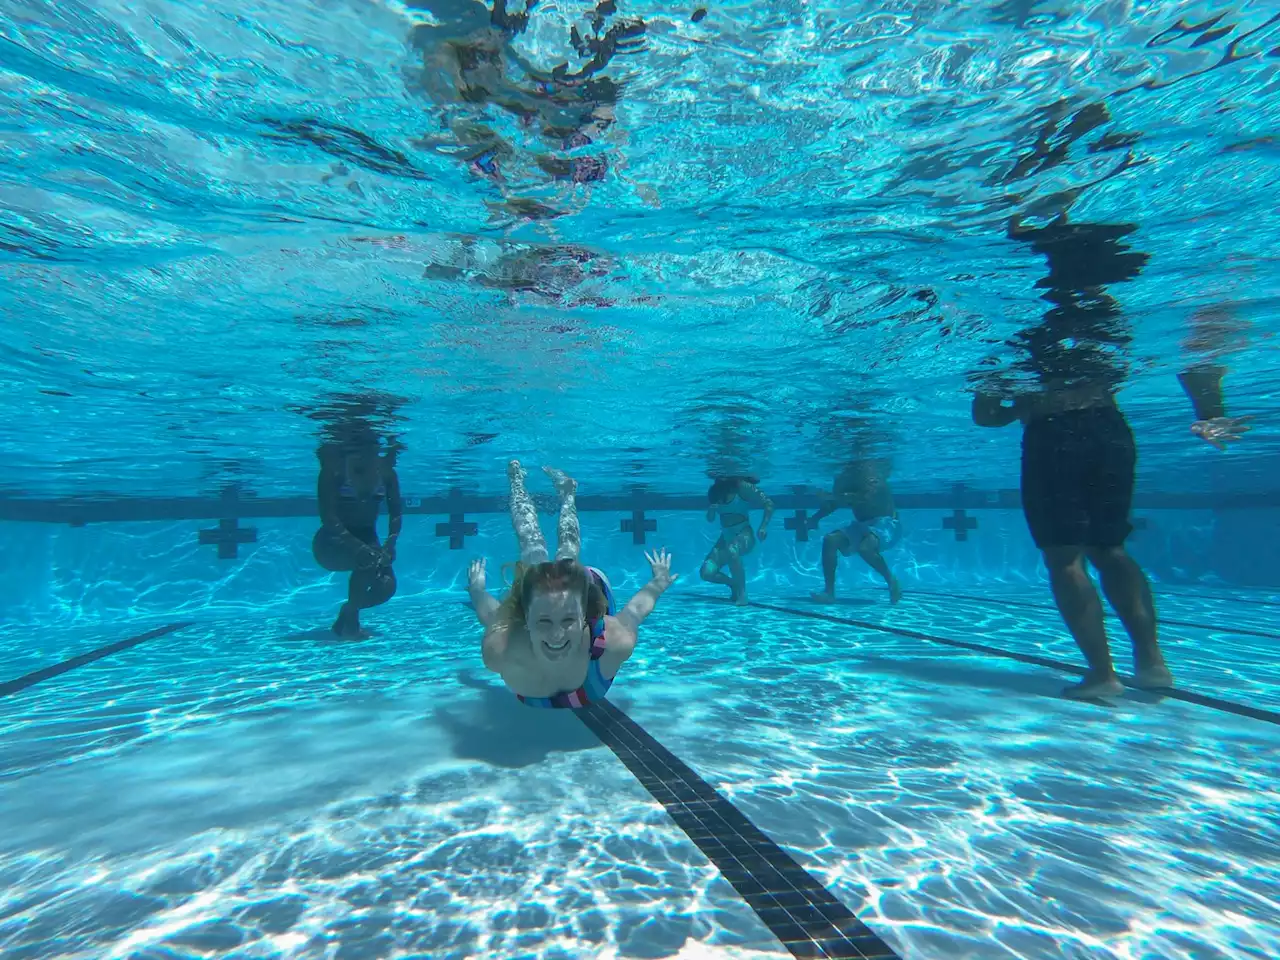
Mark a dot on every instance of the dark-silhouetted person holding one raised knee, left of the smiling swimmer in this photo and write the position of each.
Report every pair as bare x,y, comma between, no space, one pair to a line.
354,484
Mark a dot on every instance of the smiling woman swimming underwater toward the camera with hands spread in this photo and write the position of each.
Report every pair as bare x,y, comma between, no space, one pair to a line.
557,639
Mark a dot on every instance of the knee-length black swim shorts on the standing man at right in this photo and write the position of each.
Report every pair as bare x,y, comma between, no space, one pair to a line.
1078,472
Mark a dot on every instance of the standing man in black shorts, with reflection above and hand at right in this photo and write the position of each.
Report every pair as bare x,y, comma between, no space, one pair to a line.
1078,450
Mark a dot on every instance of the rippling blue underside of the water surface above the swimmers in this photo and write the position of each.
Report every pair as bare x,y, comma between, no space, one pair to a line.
221,220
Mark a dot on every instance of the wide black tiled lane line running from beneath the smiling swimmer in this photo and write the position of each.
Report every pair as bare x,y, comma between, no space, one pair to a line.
799,911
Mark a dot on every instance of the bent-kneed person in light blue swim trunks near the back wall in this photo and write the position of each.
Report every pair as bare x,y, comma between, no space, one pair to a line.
863,488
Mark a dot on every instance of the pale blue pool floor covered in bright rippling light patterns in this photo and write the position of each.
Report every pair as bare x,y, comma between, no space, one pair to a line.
248,788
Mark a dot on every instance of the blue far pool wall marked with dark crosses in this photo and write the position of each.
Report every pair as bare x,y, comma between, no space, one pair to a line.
71,566
